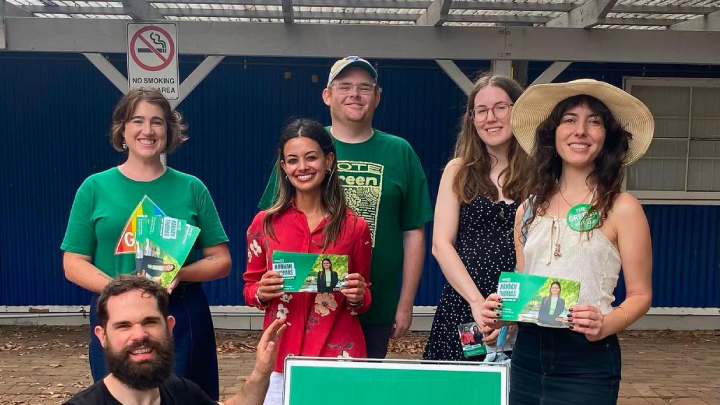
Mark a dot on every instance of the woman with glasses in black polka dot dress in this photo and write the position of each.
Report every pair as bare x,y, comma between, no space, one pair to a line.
479,193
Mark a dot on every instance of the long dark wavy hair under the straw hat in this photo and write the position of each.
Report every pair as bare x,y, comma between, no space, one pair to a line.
606,177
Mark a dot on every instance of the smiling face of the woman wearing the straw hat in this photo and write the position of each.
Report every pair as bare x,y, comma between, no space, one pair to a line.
580,136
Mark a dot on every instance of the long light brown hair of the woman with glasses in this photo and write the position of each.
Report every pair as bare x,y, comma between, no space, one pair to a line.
473,177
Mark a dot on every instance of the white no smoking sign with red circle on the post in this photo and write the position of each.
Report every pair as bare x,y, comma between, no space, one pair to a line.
152,57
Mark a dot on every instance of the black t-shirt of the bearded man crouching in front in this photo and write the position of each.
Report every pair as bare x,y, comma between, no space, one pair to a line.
174,391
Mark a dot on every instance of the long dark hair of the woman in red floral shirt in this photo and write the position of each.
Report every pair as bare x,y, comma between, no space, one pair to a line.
332,194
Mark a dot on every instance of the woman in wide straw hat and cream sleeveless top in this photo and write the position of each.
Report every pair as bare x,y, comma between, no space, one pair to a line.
578,224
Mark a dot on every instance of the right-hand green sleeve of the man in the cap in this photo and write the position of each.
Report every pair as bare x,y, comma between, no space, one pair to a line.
416,208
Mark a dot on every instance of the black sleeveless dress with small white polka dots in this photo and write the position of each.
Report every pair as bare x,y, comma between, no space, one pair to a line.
485,245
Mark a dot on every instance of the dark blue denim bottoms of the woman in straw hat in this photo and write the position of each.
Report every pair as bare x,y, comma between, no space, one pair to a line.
558,367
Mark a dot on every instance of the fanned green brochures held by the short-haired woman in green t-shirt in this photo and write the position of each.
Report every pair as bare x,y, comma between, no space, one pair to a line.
162,245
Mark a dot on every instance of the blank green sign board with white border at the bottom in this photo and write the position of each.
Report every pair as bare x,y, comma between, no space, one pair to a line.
312,381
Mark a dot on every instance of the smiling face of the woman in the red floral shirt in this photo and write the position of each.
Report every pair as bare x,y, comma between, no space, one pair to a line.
305,164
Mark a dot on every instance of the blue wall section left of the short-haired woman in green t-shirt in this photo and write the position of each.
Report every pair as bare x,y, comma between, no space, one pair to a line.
54,119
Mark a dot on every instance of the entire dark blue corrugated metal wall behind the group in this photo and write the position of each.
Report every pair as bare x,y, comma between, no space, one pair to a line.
54,118
